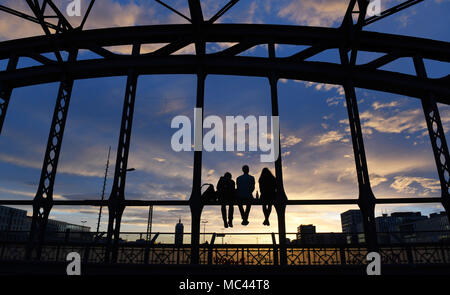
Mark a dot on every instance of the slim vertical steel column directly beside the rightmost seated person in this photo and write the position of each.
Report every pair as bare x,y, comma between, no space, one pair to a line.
280,203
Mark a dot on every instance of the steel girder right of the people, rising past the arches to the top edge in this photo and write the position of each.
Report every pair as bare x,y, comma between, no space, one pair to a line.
366,199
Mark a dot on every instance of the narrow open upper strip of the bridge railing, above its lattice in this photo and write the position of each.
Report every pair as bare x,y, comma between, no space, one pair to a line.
265,238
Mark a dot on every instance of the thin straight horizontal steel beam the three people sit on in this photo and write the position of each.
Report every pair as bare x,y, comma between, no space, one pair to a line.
142,203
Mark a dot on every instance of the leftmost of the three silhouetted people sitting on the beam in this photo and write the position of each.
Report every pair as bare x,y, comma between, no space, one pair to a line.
226,192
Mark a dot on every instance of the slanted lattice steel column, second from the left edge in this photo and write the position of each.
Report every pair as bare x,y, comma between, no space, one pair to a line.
43,201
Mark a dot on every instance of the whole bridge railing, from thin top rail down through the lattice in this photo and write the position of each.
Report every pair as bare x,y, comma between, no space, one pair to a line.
309,250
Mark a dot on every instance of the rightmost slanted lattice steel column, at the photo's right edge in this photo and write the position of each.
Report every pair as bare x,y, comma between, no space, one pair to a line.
437,138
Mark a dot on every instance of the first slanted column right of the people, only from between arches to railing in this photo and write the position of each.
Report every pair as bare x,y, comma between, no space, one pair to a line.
366,201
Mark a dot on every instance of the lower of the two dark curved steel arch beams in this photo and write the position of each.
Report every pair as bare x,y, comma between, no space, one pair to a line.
319,72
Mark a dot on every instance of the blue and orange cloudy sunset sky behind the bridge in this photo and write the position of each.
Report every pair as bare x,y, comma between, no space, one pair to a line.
317,152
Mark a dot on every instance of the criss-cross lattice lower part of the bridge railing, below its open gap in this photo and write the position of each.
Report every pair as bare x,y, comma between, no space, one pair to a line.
236,254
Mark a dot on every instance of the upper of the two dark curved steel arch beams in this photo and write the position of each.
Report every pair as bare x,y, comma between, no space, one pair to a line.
254,33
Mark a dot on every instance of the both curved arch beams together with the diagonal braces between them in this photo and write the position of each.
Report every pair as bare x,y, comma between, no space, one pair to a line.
179,36
